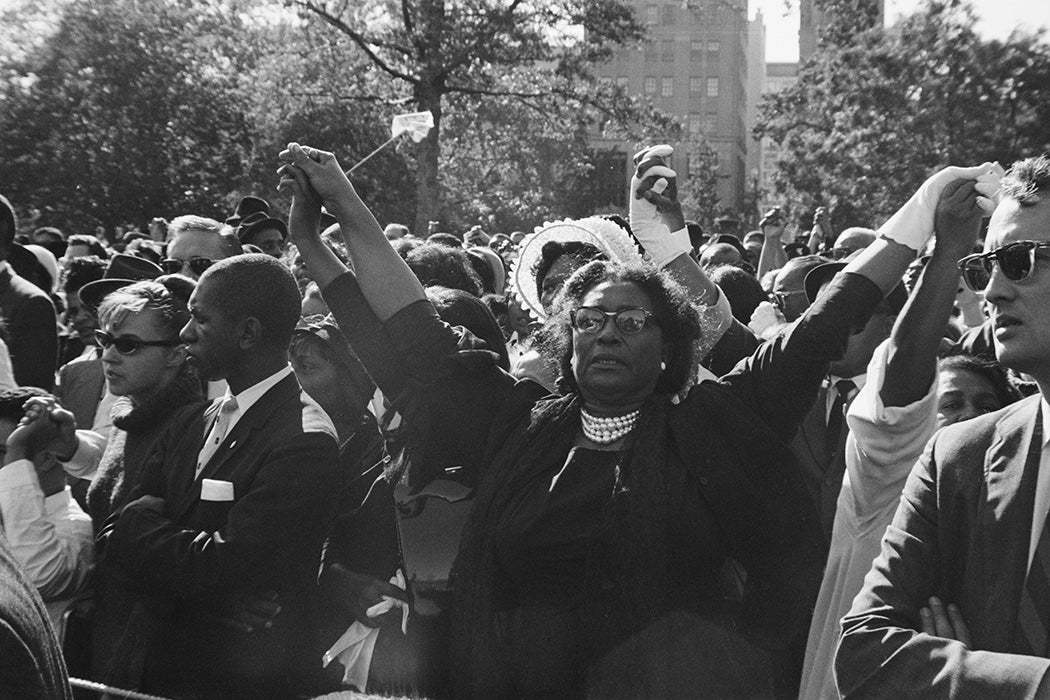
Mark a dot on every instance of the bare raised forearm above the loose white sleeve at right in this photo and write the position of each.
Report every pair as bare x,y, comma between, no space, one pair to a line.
917,335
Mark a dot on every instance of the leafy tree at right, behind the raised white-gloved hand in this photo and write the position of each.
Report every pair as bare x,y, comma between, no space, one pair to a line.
874,113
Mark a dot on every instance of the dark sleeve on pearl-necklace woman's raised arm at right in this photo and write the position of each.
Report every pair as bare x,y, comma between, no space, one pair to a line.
781,380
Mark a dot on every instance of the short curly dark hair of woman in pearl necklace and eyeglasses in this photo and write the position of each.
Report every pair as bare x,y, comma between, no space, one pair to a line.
677,316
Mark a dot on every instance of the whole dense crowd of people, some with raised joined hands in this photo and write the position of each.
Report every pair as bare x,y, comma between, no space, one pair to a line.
280,457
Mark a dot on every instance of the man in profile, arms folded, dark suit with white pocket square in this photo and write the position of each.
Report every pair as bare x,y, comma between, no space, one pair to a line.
235,503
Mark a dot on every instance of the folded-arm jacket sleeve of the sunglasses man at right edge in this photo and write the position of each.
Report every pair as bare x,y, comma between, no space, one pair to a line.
883,654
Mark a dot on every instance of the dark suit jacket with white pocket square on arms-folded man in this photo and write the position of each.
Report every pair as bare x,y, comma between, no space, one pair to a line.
201,560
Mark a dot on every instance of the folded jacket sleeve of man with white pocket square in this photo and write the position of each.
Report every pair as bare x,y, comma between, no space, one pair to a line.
289,506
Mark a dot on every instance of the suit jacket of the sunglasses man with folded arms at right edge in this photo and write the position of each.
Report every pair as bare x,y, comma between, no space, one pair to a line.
961,534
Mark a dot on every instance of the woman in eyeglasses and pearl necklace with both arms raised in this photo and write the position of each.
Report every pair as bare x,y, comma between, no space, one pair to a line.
623,543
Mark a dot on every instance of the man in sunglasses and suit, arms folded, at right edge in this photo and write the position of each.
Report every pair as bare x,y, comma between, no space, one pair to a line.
970,540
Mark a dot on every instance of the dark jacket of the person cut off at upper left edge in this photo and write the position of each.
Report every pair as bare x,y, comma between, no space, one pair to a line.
32,330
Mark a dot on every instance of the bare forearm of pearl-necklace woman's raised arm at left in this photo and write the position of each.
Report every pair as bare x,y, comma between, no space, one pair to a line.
385,279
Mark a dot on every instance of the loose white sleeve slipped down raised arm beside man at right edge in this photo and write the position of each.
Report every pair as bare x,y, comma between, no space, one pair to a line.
885,442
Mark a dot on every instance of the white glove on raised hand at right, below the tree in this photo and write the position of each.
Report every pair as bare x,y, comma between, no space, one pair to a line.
913,225
